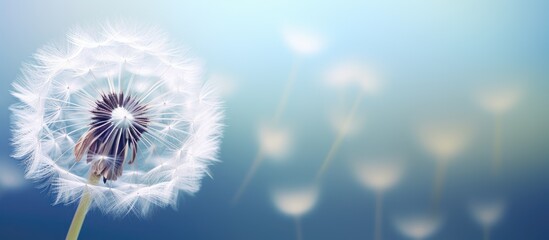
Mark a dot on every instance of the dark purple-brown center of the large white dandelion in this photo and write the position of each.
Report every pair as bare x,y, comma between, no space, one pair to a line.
118,122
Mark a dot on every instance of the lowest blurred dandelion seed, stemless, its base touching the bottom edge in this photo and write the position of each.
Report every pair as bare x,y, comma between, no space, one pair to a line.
418,227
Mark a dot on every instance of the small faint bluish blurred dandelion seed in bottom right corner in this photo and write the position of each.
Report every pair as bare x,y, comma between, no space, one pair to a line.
487,214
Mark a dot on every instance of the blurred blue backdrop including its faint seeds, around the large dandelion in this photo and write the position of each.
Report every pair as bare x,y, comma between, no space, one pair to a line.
454,94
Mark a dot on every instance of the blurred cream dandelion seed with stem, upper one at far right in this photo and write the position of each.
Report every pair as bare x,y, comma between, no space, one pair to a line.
498,100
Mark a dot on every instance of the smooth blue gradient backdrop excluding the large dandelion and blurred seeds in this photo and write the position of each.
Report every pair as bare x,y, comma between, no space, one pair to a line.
432,53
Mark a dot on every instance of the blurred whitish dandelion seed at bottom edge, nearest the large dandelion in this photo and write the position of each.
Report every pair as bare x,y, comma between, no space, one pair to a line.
295,202
